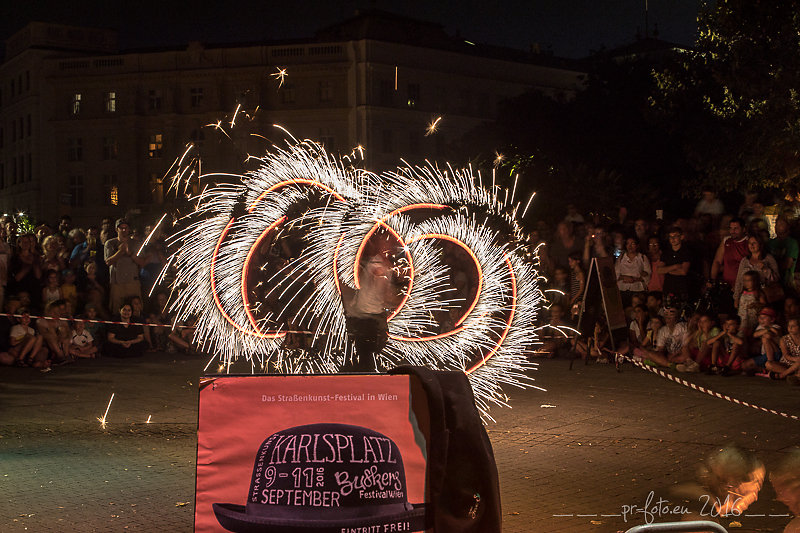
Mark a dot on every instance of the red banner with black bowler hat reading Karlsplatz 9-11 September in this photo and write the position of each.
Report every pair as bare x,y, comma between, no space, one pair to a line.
341,454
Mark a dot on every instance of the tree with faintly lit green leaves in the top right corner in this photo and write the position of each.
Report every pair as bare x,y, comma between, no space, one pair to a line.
735,99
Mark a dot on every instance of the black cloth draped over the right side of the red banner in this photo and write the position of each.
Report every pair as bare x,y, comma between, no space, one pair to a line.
464,487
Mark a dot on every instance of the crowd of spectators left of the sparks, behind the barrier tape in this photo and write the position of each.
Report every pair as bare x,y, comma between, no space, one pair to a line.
69,293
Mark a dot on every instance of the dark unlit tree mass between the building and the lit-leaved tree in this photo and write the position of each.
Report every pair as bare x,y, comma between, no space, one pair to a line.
600,149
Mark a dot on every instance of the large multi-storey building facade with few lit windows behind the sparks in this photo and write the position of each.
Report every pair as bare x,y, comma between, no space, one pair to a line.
89,131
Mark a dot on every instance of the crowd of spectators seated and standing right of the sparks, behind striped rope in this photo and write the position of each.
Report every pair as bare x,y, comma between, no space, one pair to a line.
714,292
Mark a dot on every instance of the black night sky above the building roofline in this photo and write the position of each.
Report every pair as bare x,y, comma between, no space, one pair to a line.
570,28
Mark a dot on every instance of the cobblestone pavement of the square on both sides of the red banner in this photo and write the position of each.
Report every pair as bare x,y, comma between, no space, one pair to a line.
570,459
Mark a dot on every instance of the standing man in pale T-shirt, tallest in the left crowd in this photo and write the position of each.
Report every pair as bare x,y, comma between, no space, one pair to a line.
123,264
